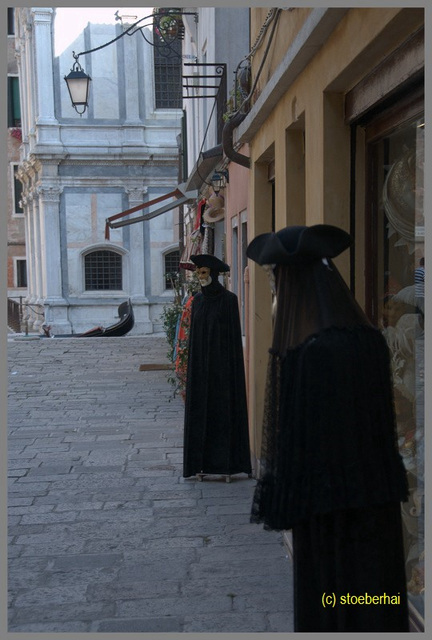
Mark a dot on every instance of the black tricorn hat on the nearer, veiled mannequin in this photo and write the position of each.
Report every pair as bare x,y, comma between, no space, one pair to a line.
299,244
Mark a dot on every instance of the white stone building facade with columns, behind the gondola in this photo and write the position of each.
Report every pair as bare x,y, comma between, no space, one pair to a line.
79,170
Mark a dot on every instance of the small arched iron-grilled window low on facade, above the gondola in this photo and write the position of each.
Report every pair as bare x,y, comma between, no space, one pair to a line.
103,270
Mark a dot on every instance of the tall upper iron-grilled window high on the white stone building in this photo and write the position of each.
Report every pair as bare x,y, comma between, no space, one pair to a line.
168,89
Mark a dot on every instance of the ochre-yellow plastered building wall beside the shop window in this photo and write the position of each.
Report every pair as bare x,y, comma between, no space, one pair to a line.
306,136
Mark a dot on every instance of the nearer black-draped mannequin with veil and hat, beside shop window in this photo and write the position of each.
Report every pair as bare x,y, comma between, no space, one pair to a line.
330,468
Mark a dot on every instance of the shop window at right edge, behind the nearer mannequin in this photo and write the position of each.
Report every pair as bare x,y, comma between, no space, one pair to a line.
395,302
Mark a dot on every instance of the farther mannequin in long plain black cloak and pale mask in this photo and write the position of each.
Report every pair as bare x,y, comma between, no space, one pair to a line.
216,436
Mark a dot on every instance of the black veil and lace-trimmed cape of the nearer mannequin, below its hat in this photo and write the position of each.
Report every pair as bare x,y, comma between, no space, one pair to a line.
329,438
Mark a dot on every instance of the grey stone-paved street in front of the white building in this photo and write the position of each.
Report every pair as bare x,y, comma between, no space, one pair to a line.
104,533
